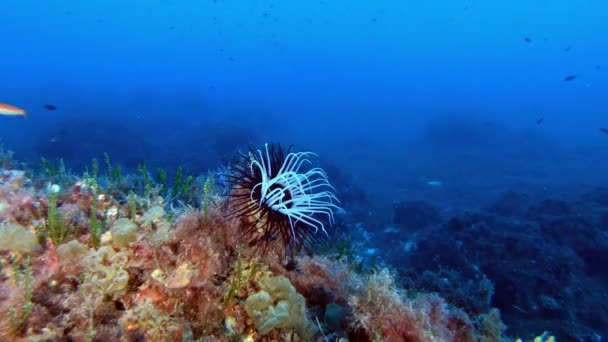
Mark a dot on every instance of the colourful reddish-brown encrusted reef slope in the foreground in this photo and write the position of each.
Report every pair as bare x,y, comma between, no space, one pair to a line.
163,274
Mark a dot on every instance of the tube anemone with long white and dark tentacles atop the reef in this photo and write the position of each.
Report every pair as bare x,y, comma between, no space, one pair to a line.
274,193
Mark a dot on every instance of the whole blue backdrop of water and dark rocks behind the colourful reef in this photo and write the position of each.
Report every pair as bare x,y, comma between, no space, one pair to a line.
467,141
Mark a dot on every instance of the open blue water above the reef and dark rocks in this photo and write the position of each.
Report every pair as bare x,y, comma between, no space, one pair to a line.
392,95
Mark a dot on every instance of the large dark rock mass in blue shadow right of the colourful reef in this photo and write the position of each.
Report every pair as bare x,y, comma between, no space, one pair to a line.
538,268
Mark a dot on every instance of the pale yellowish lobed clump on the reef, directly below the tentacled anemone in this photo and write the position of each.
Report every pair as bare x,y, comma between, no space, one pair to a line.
278,305
